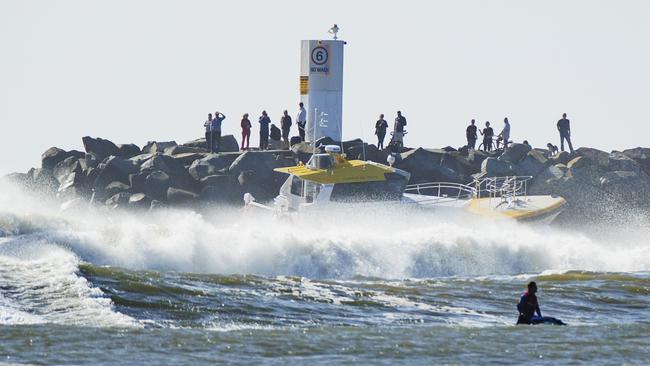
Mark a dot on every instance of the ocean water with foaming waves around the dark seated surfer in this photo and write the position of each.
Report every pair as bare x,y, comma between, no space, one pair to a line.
358,285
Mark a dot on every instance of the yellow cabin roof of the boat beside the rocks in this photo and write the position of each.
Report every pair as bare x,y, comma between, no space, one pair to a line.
347,171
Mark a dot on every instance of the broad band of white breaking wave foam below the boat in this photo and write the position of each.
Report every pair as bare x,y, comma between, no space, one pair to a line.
365,241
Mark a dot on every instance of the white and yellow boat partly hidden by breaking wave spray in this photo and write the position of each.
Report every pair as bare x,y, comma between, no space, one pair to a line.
330,179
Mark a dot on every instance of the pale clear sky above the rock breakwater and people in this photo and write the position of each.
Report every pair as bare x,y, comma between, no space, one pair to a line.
137,71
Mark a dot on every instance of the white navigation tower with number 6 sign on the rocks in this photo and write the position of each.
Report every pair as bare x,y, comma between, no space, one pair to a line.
321,85
